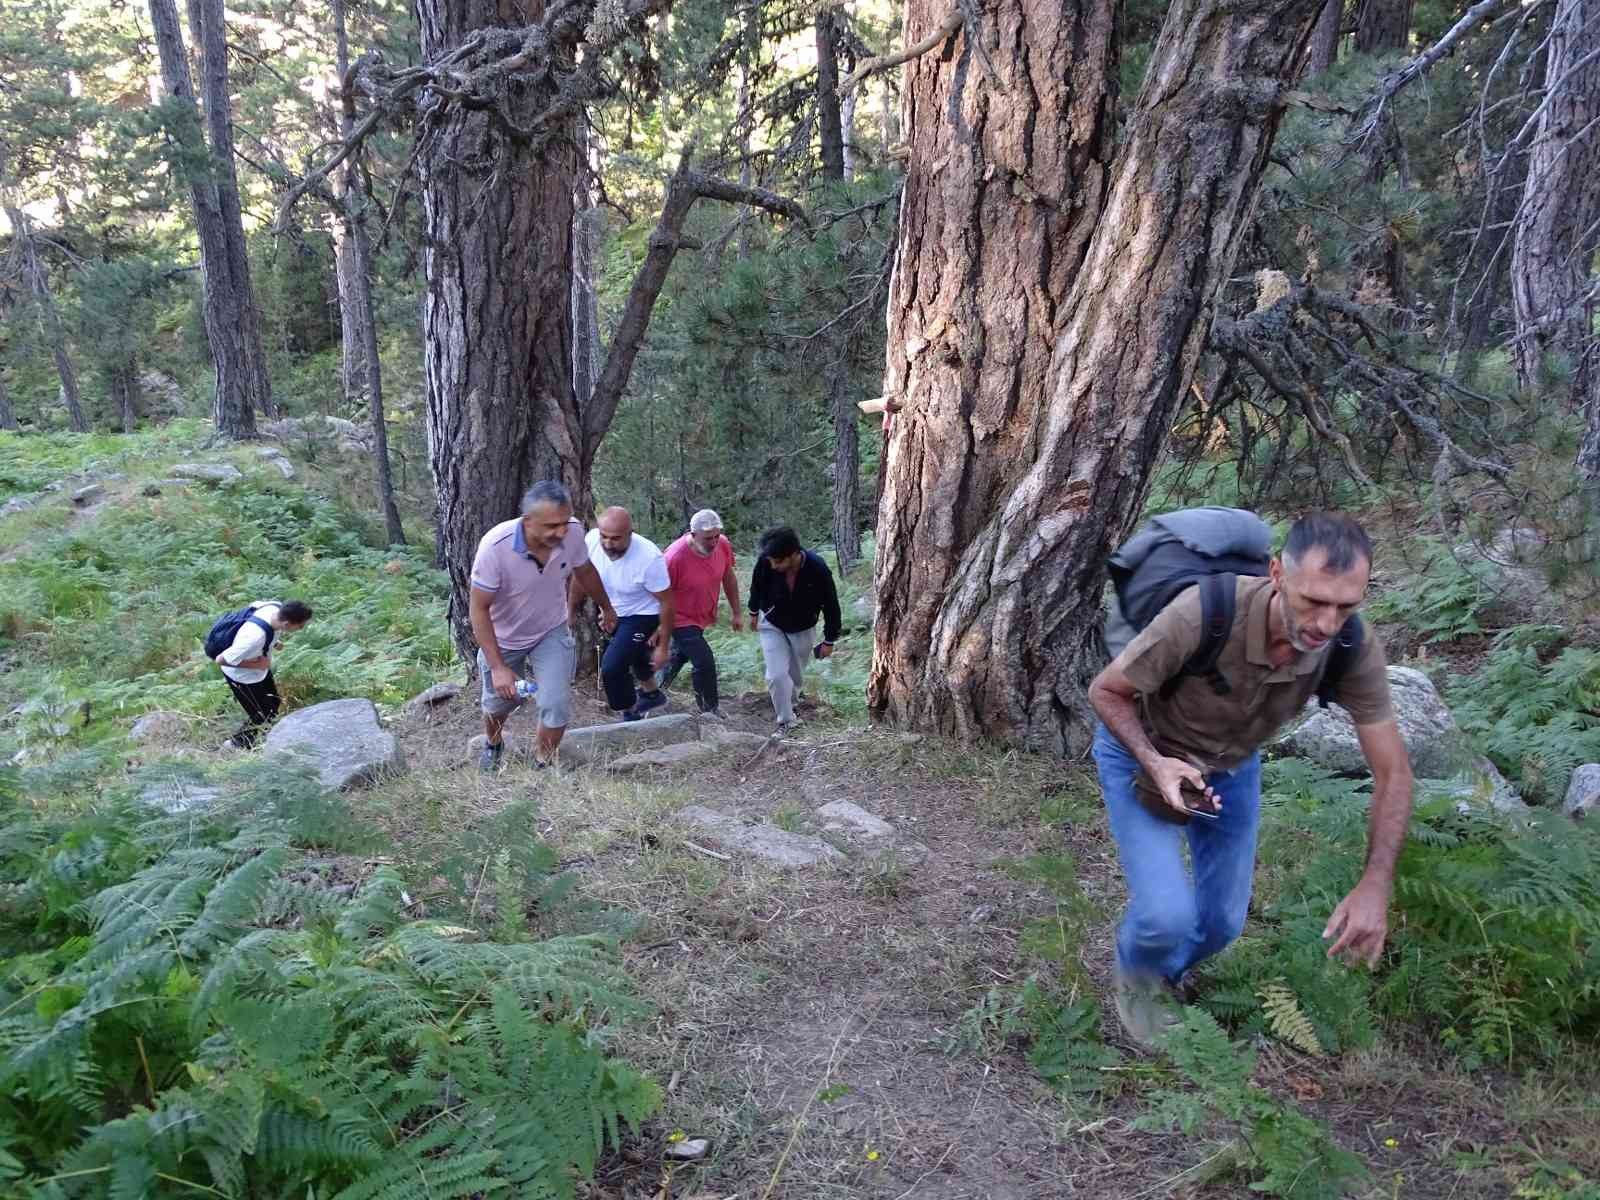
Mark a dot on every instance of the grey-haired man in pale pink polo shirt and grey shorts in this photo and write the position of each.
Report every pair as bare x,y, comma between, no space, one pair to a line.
519,617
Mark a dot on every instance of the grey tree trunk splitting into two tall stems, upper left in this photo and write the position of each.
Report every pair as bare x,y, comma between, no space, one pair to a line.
231,324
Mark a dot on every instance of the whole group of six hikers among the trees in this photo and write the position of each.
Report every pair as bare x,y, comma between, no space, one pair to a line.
1215,646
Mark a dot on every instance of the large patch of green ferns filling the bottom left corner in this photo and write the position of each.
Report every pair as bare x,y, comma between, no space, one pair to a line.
182,1012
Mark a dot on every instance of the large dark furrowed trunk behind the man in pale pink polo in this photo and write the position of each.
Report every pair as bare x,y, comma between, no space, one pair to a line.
497,316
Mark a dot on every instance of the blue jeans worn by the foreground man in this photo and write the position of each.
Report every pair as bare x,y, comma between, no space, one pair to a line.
1174,922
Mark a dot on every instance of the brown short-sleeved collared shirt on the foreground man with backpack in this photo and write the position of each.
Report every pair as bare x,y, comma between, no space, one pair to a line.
1220,732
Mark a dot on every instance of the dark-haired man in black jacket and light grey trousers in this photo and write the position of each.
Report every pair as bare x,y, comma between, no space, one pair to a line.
790,590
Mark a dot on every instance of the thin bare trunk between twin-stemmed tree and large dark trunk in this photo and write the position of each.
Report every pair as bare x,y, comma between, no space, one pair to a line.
353,218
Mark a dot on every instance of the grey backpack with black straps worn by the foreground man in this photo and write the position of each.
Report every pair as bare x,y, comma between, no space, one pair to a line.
1212,548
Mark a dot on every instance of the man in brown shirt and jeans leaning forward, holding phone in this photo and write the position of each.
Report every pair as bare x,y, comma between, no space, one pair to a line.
1207,742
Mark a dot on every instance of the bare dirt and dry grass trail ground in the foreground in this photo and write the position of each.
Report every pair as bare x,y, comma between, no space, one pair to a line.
838,1031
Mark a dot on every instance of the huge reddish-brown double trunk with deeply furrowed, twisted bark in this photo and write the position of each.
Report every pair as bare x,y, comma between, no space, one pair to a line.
1009,489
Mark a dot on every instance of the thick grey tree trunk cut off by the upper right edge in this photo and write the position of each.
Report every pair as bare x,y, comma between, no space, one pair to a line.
1561,209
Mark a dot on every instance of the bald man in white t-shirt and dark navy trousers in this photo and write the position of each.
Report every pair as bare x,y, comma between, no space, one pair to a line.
636,578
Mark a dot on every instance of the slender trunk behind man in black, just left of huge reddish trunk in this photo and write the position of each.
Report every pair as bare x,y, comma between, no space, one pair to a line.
836,340
